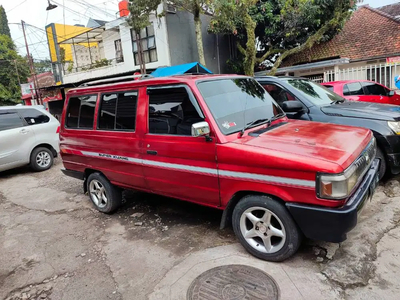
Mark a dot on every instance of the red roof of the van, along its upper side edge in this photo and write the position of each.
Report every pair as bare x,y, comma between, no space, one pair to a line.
147,82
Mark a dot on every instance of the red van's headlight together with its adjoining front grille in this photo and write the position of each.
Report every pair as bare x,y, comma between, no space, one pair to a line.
340,186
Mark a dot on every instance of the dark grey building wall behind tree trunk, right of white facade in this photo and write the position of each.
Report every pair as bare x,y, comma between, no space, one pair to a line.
182,41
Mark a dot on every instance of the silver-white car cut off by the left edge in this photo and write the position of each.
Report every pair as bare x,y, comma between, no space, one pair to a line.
28,135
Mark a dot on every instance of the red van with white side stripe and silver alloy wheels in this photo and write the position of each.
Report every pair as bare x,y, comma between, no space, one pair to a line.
223,142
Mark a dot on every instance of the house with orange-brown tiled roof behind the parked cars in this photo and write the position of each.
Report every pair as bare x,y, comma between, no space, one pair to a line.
368,47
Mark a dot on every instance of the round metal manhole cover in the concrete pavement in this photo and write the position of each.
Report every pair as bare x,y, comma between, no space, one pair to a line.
233,282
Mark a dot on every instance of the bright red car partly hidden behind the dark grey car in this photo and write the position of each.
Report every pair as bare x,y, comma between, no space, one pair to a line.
364,90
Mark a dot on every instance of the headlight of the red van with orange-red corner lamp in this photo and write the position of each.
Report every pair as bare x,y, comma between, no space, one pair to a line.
337,186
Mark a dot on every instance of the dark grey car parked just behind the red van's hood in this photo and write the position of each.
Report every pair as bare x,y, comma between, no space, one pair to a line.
303,99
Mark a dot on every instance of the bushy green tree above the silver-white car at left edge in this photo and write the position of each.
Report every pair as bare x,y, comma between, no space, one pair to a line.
10,63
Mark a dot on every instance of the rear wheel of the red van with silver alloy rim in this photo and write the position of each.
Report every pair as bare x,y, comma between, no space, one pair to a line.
106,197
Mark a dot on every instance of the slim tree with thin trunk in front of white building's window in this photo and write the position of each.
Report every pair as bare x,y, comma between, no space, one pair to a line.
139,19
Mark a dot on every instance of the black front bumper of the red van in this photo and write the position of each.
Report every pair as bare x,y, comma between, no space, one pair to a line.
332,224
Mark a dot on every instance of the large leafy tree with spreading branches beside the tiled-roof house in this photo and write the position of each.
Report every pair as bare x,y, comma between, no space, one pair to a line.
281,27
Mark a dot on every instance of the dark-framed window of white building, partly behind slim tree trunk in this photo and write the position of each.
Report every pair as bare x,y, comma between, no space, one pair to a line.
148,42
